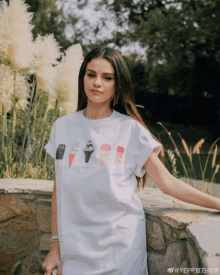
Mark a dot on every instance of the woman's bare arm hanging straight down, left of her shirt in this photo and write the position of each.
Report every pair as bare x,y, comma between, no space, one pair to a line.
54,230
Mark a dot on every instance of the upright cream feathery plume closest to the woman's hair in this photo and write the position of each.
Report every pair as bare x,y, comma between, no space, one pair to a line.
66,82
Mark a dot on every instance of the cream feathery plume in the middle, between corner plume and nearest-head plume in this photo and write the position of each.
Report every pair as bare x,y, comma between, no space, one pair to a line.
47,50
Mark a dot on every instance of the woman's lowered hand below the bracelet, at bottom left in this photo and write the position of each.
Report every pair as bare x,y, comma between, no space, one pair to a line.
52,260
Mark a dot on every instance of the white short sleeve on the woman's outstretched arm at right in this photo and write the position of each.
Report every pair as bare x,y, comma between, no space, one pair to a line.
144,148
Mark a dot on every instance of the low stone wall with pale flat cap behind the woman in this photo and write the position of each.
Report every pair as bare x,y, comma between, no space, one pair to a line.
181,237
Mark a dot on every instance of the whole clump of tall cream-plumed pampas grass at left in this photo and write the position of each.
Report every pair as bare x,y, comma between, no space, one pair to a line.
20,57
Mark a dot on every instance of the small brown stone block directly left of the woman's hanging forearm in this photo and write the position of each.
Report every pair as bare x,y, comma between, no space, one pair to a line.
44,218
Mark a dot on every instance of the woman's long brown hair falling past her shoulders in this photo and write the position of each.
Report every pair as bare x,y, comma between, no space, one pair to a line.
123,100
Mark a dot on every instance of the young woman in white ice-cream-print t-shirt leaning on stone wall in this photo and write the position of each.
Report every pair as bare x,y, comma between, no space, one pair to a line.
101,153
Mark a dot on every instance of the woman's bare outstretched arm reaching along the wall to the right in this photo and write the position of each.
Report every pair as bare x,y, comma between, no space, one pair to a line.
175,187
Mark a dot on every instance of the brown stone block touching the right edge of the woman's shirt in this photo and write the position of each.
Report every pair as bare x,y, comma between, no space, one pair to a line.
154,235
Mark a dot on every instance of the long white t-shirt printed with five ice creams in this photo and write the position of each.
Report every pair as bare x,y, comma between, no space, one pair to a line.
101,222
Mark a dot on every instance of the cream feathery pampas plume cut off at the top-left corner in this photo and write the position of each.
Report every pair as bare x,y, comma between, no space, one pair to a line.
15,33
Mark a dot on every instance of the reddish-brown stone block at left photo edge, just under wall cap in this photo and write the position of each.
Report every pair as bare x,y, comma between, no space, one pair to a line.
11,206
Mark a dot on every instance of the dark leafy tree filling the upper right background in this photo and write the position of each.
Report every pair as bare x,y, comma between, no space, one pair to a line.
181,39
